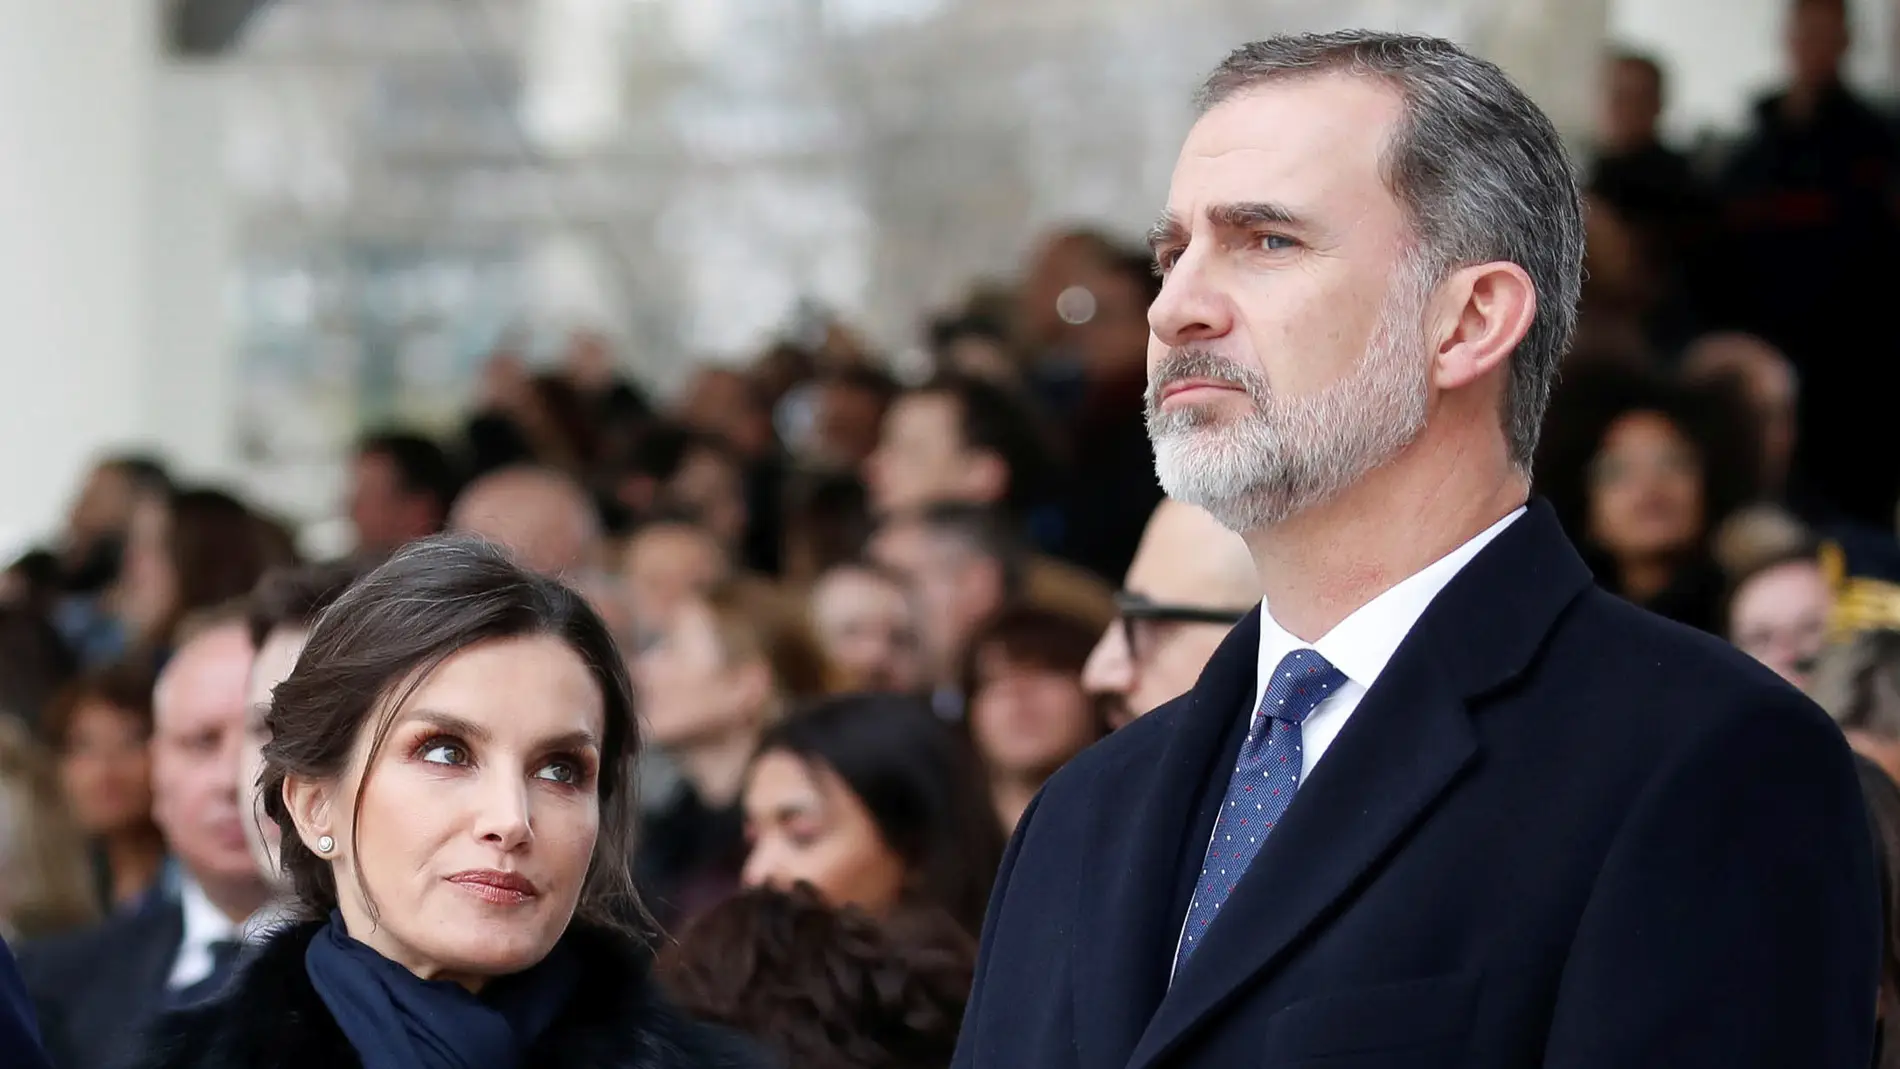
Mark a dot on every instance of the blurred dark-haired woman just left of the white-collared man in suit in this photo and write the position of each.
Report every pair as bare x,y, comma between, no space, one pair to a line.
100,730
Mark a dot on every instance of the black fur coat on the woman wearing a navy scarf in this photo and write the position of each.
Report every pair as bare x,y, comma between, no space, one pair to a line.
273,1019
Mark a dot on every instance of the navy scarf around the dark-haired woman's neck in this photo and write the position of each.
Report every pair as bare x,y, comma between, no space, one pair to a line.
398,1021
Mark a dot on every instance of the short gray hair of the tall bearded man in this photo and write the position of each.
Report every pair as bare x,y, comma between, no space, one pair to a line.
1479,172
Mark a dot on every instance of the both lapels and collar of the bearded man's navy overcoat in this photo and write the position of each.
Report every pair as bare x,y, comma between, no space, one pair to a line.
1411,734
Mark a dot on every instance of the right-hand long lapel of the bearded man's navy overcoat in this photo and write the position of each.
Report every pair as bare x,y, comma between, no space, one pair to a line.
1403,749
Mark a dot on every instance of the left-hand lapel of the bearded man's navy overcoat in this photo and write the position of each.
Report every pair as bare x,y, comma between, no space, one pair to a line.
1135,853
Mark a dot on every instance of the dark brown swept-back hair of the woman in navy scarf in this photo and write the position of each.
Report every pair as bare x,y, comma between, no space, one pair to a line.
383,639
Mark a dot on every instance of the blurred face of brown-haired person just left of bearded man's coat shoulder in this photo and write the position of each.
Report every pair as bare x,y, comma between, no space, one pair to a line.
1027,721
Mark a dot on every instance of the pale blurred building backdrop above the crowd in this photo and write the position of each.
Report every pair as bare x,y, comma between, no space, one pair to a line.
242,231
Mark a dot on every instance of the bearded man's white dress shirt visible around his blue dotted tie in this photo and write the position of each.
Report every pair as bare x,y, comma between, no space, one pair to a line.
1359,647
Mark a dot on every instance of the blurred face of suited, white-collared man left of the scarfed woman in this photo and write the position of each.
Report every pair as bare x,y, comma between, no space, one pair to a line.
197,741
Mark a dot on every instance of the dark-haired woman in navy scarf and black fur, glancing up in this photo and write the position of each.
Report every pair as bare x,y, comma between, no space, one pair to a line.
449,768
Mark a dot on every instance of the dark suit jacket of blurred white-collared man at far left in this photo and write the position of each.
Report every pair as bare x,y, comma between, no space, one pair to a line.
98,990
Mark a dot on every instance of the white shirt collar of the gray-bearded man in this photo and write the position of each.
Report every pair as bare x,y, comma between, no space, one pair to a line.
1365,641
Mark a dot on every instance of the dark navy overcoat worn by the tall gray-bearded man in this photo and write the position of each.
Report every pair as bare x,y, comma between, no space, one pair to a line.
1555,833
